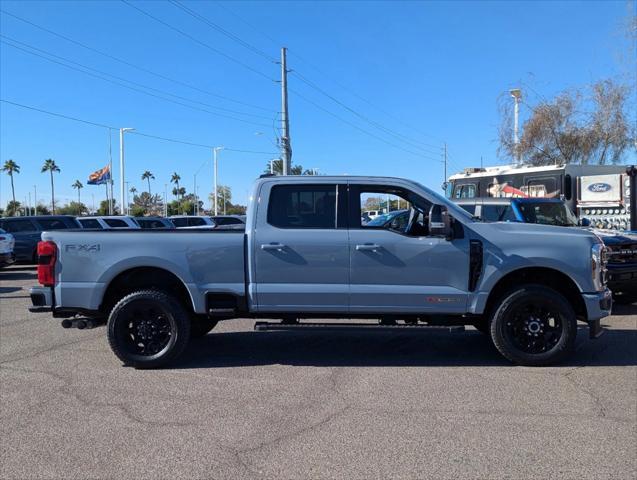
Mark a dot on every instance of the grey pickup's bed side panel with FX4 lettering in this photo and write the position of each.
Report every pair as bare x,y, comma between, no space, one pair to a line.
202,259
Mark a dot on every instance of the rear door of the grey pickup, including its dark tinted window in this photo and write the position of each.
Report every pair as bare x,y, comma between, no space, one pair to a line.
300,248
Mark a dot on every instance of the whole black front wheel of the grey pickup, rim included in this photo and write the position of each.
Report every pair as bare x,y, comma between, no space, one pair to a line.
534,325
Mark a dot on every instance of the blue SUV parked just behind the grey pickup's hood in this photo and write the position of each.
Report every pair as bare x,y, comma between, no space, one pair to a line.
622,246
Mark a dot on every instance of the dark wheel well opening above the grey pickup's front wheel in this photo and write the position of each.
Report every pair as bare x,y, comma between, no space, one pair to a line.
548,277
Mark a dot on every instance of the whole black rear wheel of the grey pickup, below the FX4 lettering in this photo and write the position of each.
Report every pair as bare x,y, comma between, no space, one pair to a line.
148,329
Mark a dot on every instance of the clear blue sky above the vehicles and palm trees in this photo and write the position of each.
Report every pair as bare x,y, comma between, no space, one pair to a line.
431,72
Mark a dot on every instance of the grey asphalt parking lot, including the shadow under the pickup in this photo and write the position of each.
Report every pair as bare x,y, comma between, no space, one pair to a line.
285,405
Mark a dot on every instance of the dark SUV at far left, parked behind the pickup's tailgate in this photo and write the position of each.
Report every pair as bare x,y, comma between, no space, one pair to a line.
26,232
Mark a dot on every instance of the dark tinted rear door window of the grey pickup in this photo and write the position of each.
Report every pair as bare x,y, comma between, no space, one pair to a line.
302,206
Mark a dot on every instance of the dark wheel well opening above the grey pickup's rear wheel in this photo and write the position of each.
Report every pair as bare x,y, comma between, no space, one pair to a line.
145,278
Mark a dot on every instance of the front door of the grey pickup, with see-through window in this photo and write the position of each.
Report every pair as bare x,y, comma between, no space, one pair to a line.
396,265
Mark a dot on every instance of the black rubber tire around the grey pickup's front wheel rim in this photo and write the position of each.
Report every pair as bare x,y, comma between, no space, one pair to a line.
507,313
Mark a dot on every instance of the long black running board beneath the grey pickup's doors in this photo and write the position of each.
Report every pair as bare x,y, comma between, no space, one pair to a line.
346,327
